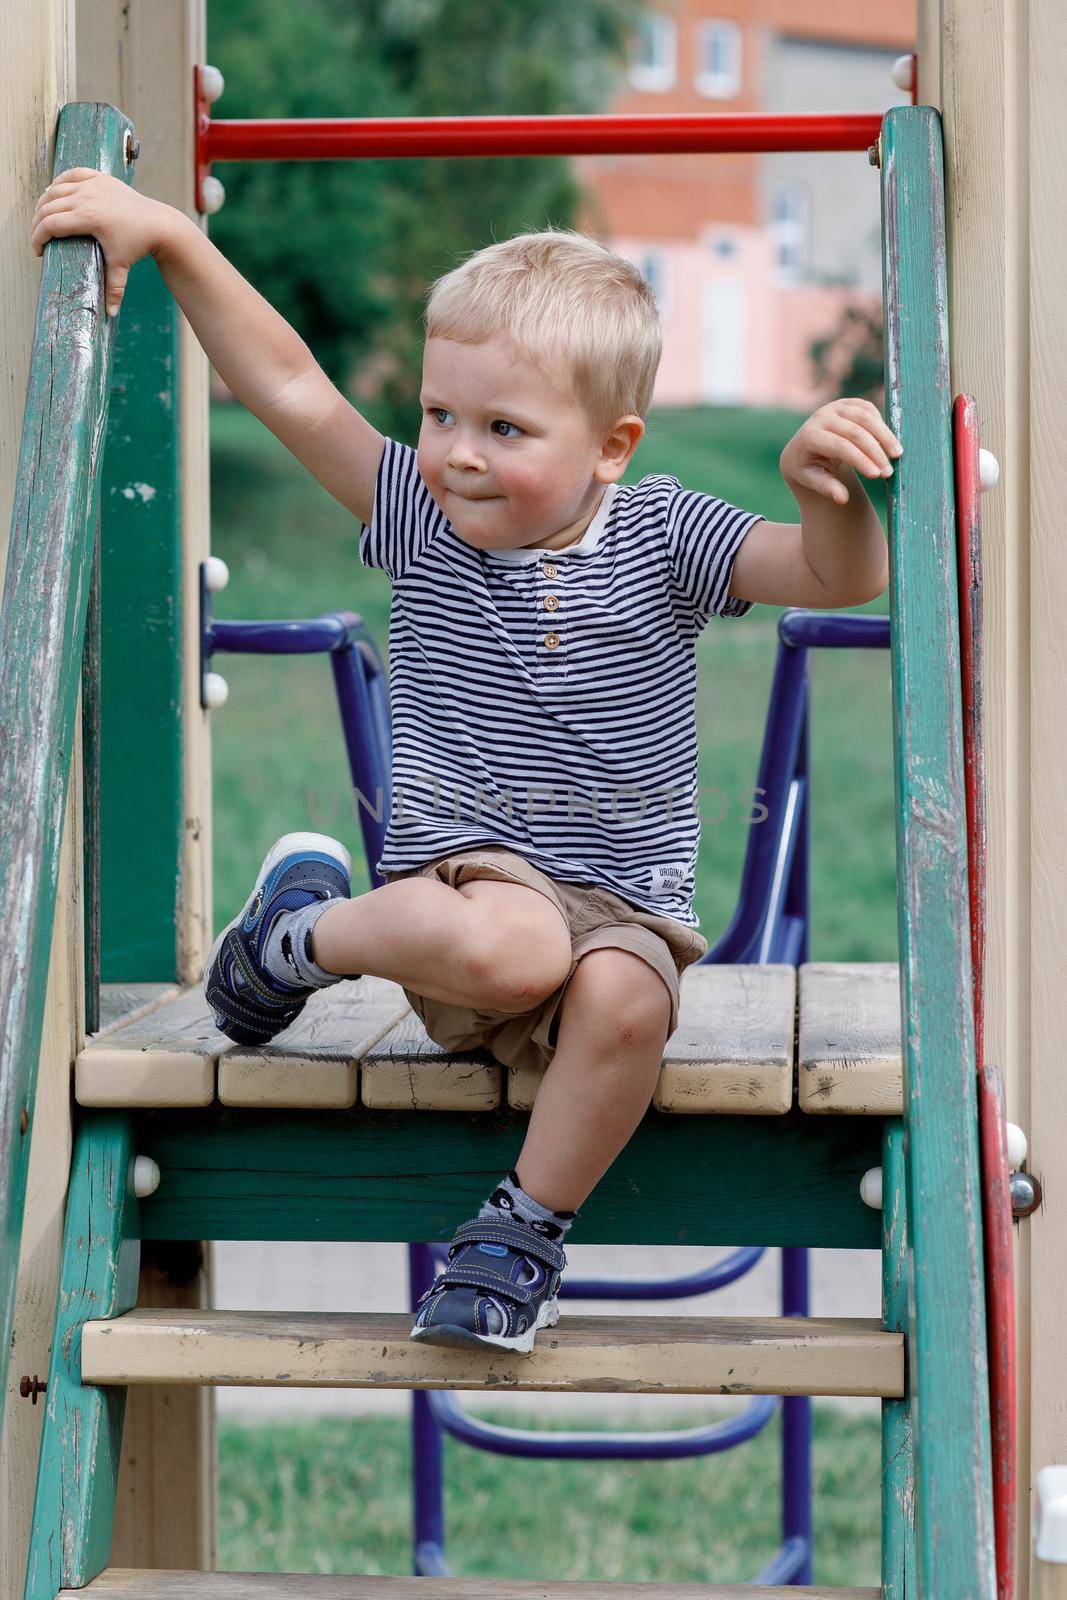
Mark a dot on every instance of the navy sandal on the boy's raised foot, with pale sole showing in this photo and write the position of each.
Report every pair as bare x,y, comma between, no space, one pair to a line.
249,1002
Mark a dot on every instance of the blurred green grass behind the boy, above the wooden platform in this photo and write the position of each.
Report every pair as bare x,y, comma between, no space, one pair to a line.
279,759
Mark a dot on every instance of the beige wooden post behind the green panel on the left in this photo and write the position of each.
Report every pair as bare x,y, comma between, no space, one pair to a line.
140,55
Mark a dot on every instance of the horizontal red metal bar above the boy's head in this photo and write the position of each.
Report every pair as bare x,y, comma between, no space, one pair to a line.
348,138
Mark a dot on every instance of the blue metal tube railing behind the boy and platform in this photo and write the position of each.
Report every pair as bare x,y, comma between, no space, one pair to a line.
770,924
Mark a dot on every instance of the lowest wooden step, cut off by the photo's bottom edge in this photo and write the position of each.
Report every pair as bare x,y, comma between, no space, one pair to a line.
127,1583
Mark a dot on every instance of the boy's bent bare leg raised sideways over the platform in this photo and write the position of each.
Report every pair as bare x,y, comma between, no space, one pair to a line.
489,945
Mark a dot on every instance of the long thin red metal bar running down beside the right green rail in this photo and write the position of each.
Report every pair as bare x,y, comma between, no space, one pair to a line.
991,1094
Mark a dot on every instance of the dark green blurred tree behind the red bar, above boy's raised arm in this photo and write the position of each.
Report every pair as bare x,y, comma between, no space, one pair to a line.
348,250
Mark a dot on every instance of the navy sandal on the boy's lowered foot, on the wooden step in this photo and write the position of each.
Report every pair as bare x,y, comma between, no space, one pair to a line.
498,1287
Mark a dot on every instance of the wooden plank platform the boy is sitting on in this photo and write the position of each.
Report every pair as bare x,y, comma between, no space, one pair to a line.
359,1044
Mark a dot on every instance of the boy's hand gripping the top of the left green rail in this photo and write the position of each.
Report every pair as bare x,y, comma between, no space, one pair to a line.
127,225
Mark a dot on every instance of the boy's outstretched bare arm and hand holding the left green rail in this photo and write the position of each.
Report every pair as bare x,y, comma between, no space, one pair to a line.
254,350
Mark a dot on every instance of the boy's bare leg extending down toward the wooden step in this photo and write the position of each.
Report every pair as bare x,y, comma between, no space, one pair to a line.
601,1081
